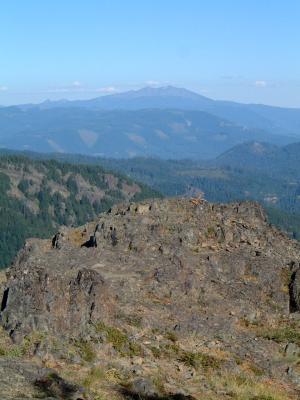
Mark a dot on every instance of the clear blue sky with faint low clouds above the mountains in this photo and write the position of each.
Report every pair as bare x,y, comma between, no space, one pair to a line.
241,50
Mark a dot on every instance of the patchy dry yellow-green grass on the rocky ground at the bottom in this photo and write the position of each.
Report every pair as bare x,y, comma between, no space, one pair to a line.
103,379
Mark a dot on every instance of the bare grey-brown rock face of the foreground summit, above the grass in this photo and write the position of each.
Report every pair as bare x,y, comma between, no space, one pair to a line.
176,264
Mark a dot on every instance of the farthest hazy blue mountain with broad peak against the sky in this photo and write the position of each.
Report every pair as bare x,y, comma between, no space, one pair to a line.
275,120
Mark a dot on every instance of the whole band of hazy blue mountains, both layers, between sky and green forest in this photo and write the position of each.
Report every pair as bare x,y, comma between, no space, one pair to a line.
165,122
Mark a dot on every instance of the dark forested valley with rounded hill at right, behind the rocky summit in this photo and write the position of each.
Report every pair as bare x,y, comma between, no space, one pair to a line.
253,171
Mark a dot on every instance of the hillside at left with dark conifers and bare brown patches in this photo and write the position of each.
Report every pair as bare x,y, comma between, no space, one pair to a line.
38,196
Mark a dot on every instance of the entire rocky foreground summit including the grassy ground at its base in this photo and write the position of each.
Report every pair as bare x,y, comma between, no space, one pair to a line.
174,298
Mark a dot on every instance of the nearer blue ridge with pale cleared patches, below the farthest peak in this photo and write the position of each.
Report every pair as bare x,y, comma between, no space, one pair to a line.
161,133
